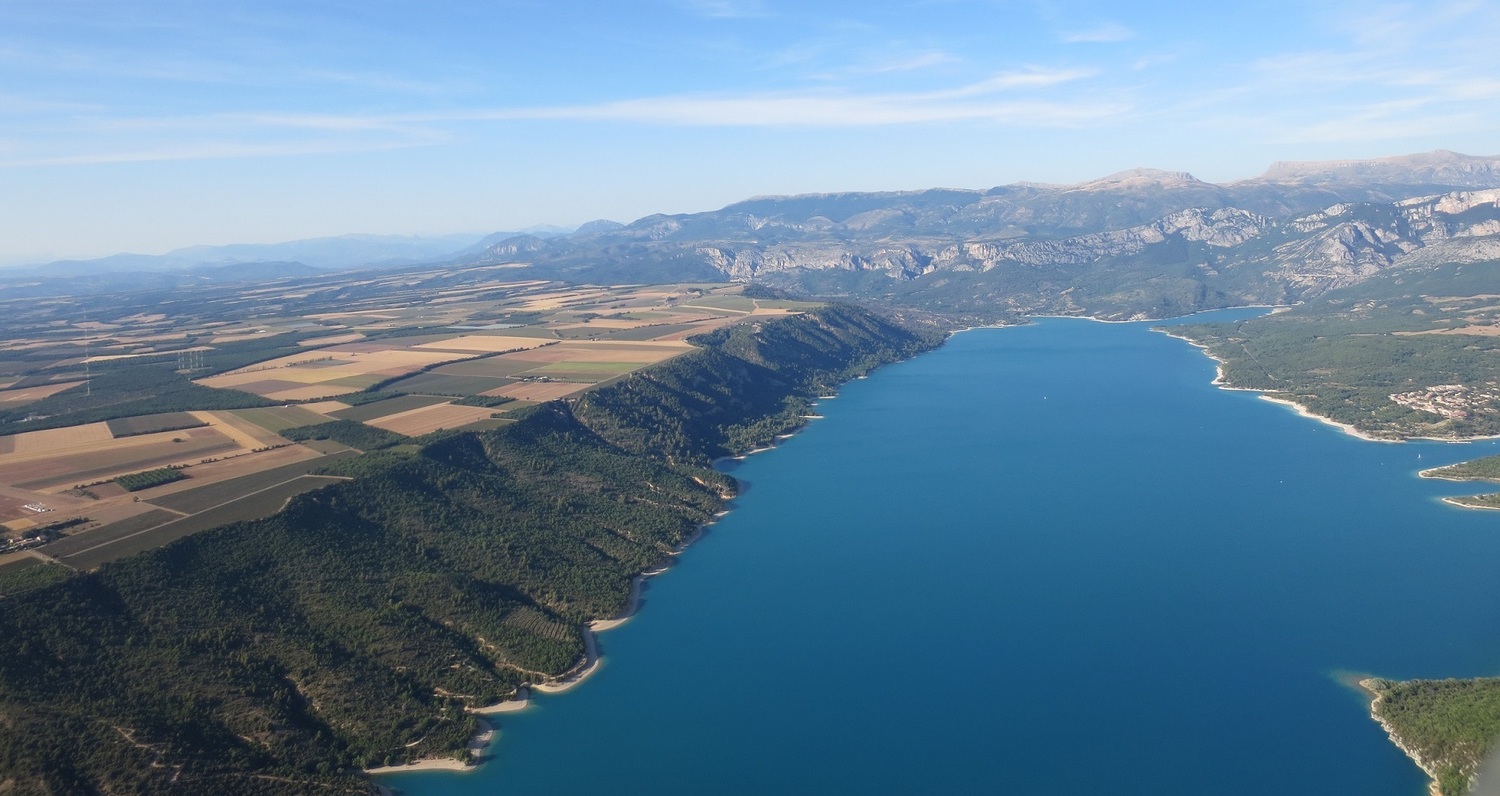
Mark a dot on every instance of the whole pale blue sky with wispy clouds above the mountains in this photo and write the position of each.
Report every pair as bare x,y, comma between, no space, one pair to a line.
145,127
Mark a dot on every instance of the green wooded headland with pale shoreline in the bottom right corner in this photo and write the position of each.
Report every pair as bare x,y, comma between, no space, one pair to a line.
1450,725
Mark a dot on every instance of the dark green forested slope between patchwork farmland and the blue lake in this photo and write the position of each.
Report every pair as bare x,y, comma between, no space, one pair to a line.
359,627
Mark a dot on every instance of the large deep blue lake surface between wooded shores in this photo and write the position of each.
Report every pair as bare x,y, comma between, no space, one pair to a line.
1048,560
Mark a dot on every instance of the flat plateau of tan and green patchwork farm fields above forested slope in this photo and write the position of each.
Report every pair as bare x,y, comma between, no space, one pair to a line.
206,380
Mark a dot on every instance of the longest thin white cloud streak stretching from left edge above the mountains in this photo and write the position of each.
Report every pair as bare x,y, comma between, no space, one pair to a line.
1006,100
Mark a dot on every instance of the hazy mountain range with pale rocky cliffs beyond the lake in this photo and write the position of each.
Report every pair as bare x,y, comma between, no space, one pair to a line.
1136,244
